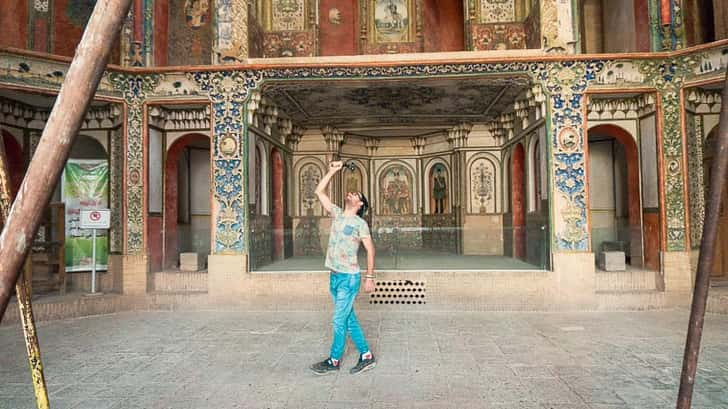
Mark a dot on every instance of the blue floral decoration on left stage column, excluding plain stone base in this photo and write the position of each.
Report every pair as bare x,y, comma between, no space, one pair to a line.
229,92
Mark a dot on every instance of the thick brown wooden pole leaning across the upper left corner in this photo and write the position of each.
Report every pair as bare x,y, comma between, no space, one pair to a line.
63,124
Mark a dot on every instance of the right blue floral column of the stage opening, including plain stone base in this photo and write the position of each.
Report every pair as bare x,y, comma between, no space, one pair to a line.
564,84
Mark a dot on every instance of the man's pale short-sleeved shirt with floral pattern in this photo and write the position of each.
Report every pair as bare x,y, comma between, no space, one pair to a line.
344,241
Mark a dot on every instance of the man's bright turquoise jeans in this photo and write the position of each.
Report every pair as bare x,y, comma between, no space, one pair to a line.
344,288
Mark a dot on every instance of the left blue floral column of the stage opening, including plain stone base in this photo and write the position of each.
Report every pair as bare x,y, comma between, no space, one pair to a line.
229,92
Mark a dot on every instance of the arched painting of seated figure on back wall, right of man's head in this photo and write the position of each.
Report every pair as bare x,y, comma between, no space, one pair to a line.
395,191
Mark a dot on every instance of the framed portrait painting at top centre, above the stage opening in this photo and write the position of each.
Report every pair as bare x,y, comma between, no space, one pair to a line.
391,21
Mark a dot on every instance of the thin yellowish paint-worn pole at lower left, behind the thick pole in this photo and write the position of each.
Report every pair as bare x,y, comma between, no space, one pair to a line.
22,291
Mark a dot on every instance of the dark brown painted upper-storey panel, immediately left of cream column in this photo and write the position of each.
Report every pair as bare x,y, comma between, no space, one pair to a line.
190,32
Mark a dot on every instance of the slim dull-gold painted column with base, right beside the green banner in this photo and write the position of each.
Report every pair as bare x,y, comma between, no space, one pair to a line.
134,262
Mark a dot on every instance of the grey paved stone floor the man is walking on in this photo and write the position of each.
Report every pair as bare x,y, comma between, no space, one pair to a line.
236,359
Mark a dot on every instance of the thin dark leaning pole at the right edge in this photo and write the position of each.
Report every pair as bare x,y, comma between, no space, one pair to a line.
719,172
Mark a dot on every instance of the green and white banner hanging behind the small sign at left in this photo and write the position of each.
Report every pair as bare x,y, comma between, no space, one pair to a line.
85,187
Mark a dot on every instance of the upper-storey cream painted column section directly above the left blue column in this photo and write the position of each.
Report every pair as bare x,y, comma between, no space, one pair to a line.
231,36
